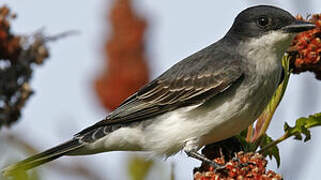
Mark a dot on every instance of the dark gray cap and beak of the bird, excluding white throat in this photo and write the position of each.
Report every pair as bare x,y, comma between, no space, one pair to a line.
259,20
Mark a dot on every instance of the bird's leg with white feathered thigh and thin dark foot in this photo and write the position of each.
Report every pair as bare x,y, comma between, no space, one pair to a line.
191,147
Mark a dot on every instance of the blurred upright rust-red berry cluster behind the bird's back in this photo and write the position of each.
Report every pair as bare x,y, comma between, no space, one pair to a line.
126,69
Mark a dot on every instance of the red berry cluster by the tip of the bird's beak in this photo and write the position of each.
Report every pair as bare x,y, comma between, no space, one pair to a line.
305,50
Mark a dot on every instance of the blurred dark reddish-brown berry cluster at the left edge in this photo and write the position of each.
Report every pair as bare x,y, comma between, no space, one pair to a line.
18,54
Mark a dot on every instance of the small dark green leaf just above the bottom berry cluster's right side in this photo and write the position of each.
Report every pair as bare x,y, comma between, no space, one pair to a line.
271,152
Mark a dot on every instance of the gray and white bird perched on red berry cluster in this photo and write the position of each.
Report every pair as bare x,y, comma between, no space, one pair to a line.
207,97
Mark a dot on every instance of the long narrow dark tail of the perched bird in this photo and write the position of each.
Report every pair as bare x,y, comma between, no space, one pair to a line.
41,158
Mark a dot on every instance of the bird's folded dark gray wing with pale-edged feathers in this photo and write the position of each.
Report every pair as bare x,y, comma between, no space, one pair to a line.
192,81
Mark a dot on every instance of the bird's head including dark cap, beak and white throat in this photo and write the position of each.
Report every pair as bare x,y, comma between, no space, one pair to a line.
267,26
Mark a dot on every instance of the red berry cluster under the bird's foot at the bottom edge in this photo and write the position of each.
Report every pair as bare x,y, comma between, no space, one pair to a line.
249,166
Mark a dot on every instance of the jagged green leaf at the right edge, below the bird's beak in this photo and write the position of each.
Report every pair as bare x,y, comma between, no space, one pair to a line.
302,126
